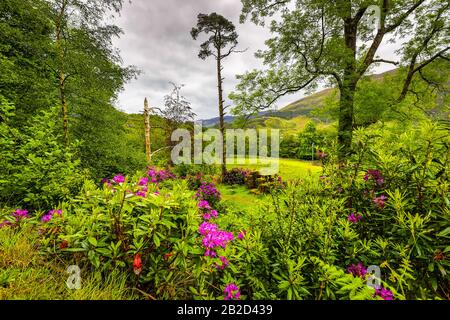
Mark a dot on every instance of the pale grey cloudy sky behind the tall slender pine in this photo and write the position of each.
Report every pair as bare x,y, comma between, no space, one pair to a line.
157,40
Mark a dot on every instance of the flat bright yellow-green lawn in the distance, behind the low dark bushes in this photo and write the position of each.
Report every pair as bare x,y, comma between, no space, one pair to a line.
290,169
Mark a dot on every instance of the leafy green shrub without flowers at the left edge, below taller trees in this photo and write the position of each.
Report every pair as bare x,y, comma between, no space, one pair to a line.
37,170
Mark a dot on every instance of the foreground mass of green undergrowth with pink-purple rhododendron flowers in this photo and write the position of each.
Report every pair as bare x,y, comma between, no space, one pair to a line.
156,236
